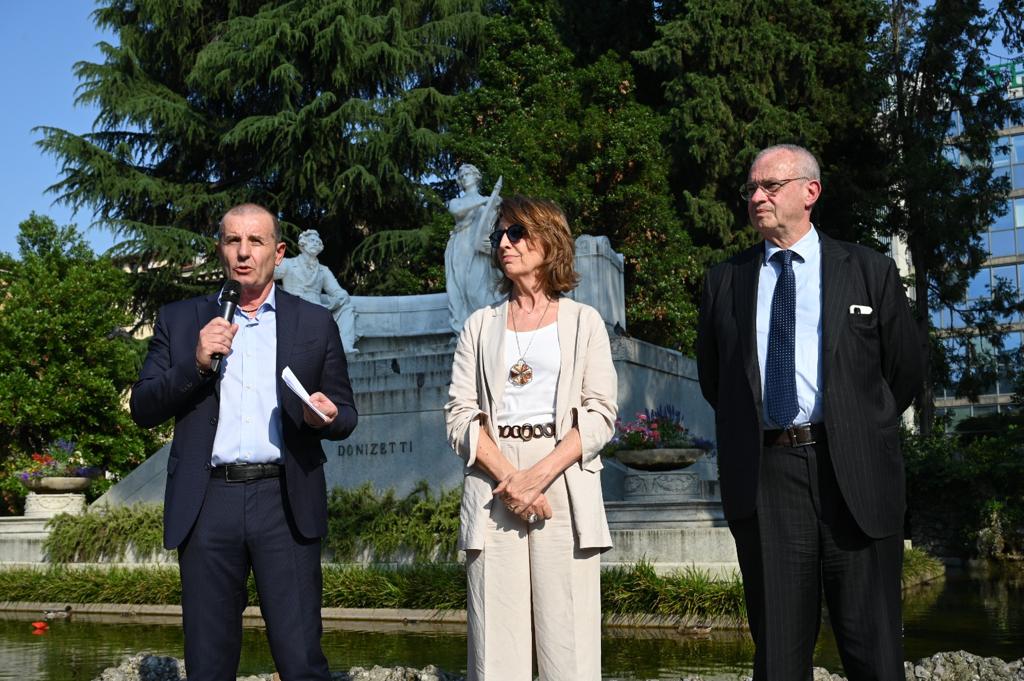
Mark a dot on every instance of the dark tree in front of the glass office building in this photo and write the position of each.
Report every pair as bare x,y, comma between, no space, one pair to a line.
938,123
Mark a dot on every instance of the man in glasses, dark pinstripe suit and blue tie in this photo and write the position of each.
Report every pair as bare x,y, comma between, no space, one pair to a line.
809,355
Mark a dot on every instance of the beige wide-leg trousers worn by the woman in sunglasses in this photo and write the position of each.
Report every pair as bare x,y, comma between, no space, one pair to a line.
533,584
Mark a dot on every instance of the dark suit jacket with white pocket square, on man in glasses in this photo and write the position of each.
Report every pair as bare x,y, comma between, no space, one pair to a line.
872,370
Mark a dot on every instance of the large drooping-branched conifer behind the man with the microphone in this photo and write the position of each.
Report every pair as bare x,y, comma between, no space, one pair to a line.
328,112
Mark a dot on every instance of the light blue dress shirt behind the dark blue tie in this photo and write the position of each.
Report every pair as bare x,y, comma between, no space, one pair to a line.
807,272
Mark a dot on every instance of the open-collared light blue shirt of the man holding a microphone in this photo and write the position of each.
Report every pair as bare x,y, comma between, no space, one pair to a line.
249,424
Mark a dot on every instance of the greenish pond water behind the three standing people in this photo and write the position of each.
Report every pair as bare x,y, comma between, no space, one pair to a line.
980,613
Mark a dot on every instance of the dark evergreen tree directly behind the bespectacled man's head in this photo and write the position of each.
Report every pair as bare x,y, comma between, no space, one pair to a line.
742,75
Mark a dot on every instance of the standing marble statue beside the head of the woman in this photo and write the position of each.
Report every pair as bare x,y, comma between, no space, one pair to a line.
470,279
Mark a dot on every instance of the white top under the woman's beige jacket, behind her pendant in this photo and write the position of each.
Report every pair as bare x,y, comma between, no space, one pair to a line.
534,403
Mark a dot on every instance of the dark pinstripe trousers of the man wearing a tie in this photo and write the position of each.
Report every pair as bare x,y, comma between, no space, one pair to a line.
802,541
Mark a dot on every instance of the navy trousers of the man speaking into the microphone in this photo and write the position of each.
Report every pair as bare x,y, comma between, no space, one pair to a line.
243,527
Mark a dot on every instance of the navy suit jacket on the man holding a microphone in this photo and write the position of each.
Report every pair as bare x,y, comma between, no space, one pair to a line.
170,387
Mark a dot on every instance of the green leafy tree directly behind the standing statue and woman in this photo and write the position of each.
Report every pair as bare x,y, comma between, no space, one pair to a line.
577,136
